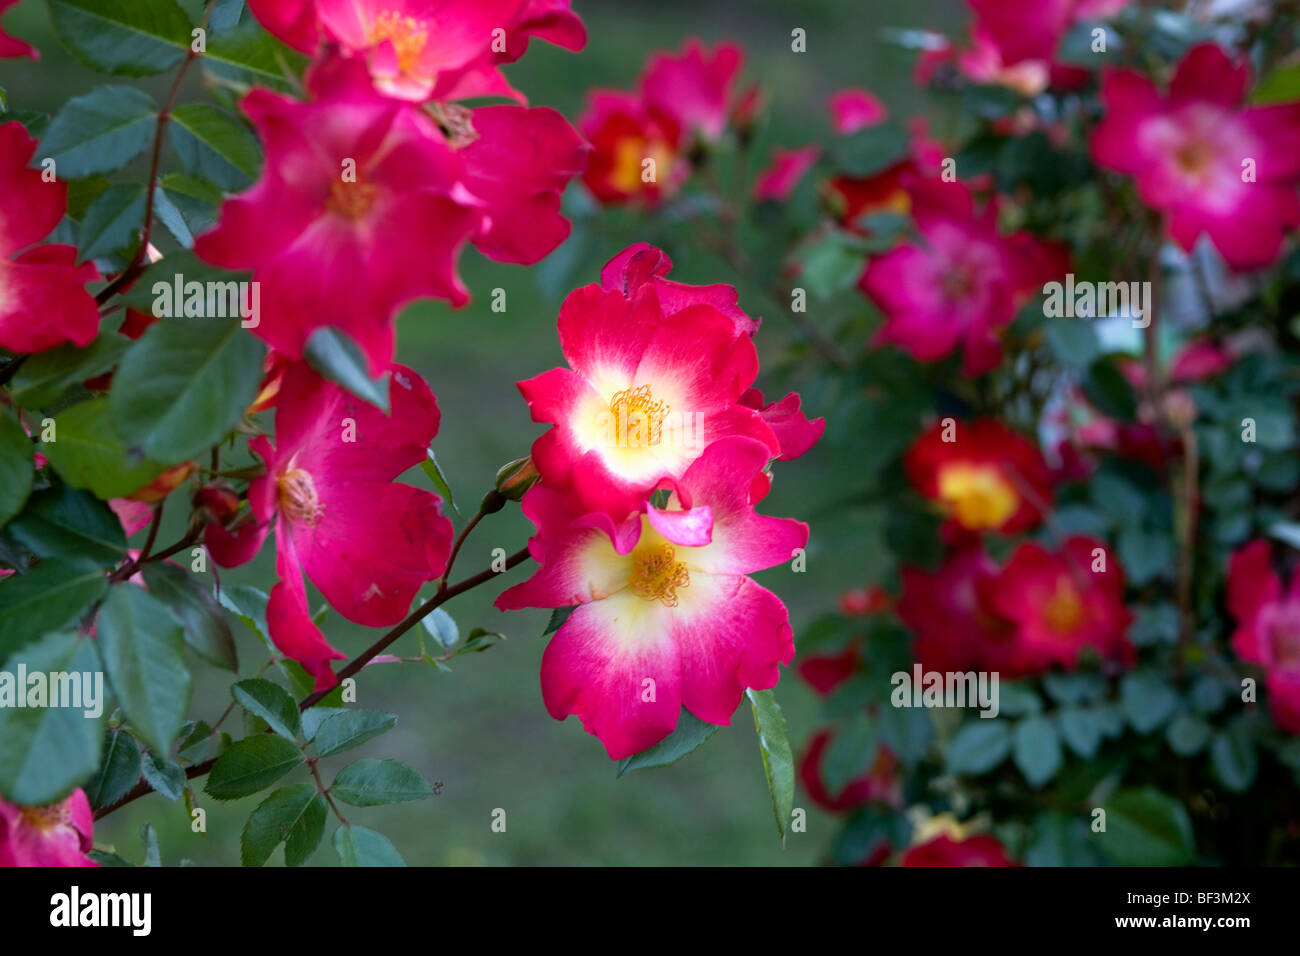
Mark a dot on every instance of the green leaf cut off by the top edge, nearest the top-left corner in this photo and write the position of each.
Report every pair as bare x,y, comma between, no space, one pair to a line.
133,38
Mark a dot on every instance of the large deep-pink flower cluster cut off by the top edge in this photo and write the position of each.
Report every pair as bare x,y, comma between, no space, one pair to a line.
374,185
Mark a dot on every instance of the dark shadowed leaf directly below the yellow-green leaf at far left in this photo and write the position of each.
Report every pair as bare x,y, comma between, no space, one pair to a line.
62,522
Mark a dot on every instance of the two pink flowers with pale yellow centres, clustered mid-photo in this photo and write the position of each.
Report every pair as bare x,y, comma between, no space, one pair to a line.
645,508
